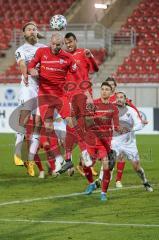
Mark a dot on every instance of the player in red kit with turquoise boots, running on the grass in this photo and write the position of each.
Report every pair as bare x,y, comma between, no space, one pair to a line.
99,134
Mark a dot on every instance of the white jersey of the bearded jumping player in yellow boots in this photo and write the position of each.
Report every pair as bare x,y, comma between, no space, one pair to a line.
26,52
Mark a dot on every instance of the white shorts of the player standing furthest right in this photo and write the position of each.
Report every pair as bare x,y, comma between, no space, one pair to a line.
130,150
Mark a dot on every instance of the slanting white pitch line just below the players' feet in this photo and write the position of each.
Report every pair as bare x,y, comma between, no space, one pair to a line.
60,196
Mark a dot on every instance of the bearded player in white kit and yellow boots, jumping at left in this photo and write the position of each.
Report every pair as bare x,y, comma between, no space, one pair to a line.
27,94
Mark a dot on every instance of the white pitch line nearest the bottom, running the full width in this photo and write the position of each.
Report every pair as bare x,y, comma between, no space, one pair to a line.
83,223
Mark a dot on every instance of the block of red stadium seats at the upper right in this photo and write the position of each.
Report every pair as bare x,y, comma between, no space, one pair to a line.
142,65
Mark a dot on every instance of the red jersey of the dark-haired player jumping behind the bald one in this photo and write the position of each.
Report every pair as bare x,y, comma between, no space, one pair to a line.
85,65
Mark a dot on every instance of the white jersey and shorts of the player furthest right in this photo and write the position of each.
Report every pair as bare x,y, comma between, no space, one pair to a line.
126,143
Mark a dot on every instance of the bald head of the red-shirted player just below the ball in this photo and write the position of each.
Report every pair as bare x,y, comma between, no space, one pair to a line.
56,42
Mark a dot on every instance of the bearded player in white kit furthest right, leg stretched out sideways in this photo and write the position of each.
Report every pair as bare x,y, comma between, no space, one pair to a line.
125,144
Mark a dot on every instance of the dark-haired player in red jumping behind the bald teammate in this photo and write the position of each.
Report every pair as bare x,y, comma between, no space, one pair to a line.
81,90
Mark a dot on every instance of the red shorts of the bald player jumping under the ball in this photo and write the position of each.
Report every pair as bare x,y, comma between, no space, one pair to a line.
48,103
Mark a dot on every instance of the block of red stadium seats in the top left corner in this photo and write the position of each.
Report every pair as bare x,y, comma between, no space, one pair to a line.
16,13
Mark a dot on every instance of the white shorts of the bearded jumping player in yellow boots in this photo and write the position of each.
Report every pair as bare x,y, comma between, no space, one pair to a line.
28,98
